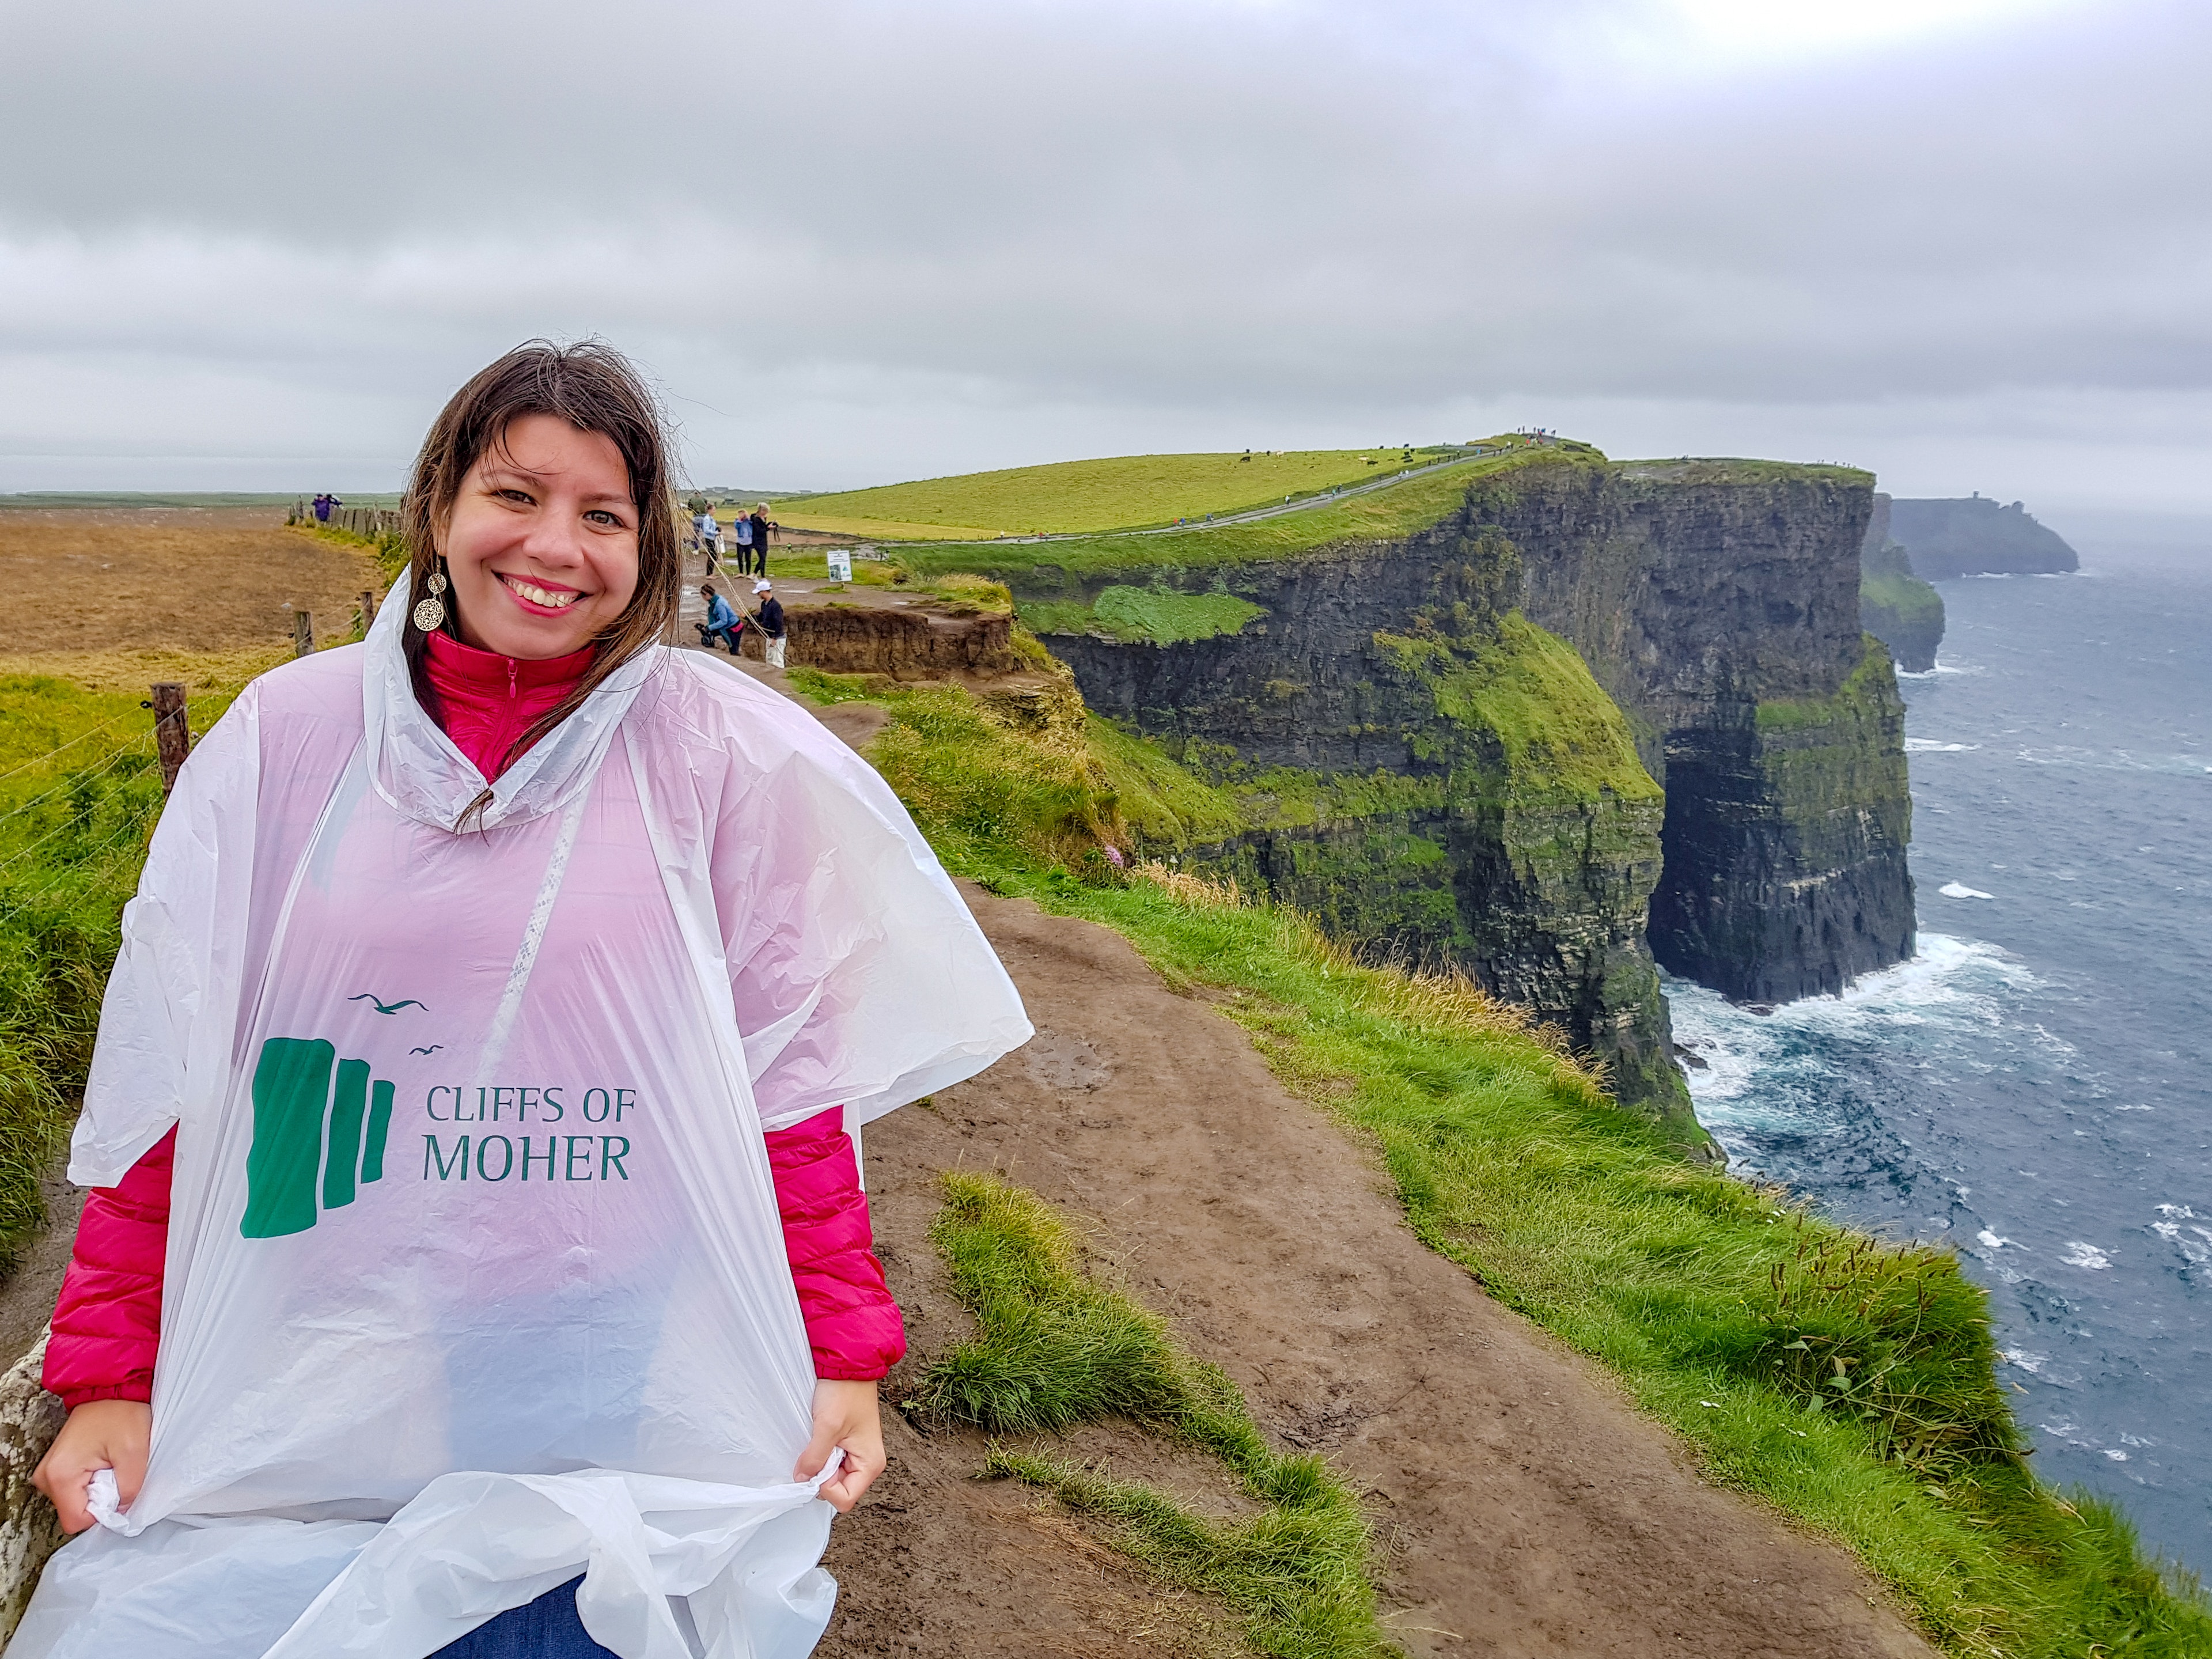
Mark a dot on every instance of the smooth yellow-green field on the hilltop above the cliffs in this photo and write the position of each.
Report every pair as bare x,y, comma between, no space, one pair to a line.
1074,497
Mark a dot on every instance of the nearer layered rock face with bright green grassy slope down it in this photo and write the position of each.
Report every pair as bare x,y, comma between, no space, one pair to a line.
1428,773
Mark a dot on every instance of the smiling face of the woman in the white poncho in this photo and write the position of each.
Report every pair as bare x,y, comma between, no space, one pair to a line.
543,541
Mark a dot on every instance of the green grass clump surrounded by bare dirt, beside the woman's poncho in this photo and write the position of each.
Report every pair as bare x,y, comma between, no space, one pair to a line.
1056,1350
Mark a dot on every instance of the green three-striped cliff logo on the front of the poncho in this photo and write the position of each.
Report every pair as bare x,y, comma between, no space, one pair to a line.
311,1136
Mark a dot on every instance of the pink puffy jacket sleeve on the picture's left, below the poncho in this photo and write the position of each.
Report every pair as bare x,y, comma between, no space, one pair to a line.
107,1322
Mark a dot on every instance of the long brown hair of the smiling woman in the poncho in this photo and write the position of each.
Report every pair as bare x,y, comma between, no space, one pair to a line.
594,388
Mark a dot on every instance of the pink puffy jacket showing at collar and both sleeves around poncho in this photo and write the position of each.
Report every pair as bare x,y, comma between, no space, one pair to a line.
107,1324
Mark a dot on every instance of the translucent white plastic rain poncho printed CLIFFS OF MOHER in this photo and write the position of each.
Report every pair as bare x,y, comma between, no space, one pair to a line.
474,1266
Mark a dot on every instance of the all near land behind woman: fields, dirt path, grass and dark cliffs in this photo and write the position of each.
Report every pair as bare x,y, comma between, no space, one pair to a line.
1342,1269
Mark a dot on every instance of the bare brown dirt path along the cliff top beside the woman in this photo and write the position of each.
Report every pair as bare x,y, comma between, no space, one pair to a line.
1525,1505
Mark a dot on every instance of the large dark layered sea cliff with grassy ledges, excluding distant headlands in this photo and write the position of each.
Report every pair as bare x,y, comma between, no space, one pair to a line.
1563,724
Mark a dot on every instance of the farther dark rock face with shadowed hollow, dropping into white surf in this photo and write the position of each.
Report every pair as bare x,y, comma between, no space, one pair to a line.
1718,603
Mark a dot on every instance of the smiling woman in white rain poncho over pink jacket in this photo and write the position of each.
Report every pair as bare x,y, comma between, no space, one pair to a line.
519,1193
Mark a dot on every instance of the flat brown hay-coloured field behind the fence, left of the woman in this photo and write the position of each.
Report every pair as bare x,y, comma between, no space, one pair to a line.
127,589
